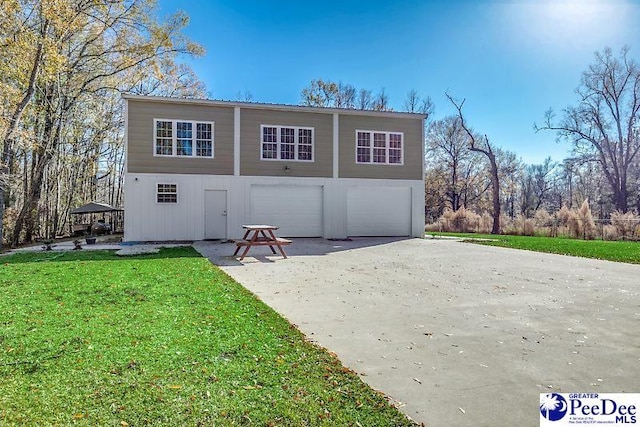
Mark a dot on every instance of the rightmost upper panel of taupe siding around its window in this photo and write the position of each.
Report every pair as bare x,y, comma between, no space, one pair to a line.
413,134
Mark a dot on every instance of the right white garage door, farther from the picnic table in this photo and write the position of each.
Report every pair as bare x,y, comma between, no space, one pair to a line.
379,211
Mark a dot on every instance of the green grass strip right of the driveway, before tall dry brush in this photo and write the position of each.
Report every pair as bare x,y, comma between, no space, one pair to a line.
608,250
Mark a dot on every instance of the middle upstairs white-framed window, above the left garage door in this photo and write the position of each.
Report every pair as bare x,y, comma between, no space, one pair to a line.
286,143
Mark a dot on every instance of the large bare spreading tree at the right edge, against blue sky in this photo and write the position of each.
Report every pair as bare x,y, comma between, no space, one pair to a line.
604,126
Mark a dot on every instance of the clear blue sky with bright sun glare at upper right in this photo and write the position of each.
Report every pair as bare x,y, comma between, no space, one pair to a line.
511,60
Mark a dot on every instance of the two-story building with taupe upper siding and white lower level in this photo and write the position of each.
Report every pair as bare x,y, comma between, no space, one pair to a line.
200,169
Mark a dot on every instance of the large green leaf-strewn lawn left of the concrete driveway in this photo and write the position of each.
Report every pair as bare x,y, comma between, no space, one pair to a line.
89,338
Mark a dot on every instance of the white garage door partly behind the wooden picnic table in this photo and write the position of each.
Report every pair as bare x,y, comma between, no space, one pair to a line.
295,209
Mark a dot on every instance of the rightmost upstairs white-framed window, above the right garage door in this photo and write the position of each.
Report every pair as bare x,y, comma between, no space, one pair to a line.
379,147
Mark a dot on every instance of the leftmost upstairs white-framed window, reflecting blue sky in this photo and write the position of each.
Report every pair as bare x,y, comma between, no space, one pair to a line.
182,138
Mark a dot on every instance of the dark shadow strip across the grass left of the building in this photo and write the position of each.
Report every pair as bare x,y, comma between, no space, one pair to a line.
100,255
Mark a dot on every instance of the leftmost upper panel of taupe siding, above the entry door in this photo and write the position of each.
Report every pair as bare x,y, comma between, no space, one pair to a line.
140,158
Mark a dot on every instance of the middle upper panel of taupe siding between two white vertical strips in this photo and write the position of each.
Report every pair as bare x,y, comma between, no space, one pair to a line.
250,141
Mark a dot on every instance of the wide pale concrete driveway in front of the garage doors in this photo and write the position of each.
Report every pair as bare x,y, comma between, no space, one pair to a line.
456,333
